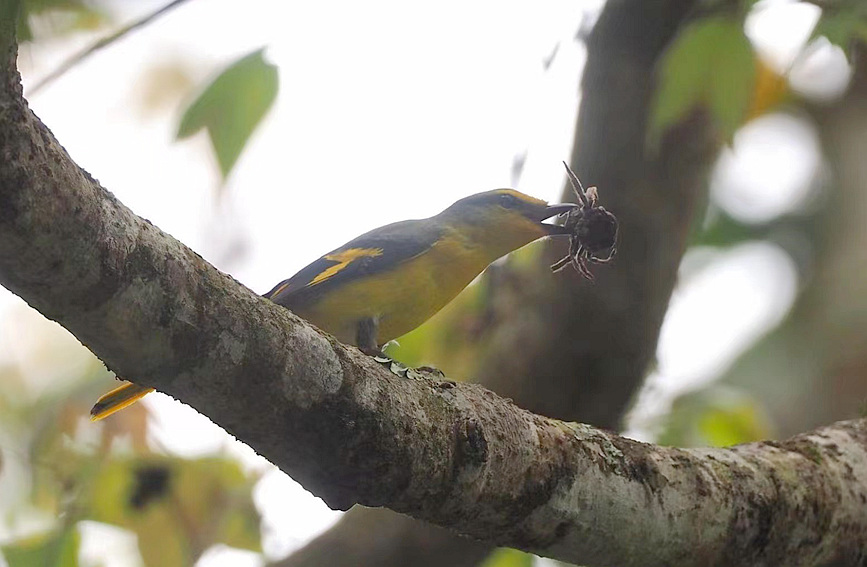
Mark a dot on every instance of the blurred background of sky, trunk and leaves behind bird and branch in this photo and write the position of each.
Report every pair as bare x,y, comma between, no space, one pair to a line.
728,136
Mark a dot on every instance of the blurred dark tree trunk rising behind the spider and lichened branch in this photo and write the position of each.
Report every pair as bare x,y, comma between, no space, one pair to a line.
563,347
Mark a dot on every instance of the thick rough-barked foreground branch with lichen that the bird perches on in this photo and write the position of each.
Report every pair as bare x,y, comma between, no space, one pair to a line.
351,431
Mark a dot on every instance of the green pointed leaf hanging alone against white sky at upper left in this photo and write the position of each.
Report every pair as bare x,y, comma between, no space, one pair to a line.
232,106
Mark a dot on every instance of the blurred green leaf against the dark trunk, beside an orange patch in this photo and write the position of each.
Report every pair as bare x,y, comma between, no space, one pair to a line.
710,64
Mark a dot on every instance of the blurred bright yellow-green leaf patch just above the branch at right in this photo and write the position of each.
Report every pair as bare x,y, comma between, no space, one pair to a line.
715,416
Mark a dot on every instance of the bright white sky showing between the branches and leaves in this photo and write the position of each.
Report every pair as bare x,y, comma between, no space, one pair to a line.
386,111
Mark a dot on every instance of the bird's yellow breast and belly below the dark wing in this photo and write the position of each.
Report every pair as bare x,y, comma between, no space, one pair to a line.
403,297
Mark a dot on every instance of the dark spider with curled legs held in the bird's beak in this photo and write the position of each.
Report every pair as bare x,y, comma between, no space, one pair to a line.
593,230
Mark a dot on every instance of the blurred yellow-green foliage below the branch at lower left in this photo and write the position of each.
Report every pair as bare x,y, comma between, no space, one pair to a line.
79,471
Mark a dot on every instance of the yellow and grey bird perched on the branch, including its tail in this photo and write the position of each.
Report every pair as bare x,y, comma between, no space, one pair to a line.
388,281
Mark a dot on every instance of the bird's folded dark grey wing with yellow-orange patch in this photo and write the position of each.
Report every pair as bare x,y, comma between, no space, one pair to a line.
373,252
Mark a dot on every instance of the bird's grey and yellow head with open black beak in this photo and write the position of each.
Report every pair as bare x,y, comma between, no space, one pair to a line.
503,220
